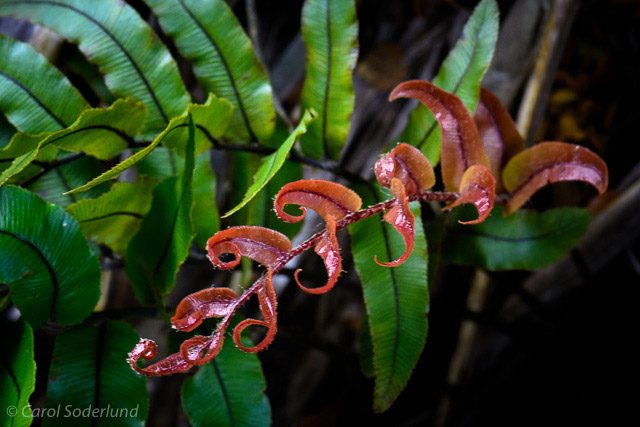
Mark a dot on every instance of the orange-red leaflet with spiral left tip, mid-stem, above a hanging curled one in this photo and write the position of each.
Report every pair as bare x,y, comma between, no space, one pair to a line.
325,197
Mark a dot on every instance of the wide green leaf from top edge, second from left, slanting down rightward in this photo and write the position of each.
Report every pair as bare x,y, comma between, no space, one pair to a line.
208,34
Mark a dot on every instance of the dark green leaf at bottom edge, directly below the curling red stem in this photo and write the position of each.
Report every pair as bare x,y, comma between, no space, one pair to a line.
229,391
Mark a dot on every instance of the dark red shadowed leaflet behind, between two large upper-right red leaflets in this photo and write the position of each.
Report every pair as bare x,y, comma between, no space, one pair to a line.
498,132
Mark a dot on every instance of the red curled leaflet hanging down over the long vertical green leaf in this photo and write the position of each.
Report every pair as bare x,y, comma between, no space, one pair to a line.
401,218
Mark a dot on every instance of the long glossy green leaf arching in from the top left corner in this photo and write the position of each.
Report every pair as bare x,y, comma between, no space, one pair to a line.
112,35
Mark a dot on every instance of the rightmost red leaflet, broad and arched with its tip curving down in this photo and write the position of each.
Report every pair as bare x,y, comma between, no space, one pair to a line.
550,162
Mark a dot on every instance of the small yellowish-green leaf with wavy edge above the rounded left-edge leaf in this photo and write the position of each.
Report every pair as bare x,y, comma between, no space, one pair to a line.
114,217
